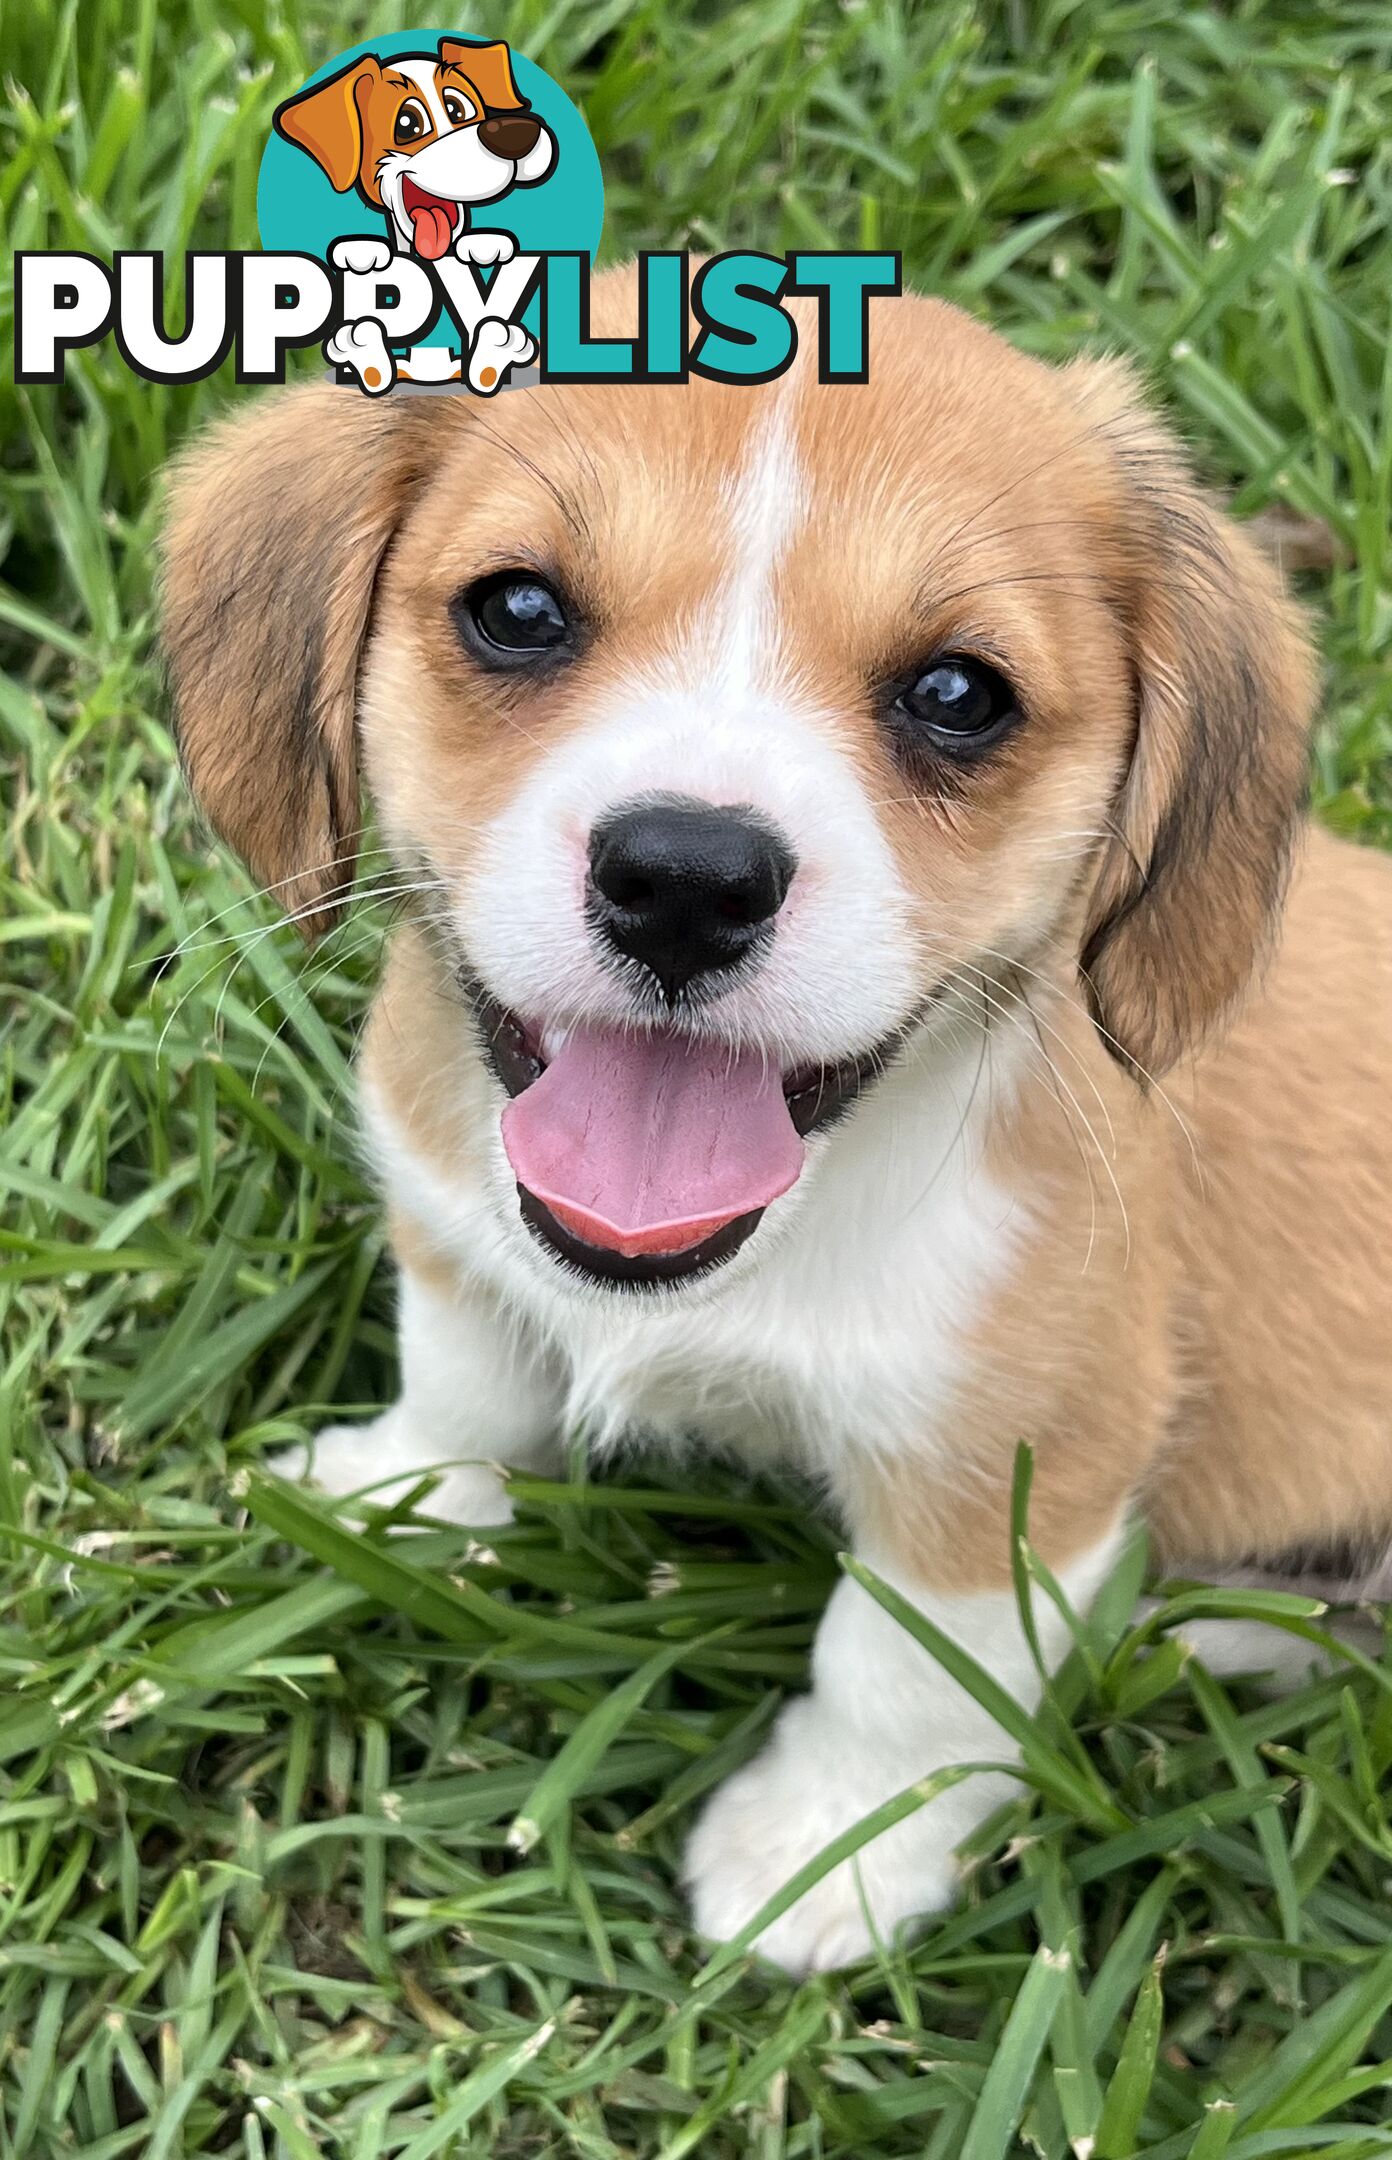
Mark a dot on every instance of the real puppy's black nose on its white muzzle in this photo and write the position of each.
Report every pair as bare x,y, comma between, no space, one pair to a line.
686,889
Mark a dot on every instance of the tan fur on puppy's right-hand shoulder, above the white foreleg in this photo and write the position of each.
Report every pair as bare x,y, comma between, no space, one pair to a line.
1069,1355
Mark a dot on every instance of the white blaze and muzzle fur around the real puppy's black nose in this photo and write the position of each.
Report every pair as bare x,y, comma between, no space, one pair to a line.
725,714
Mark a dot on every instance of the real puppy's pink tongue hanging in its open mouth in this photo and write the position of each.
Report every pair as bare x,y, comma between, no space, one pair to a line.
650,1144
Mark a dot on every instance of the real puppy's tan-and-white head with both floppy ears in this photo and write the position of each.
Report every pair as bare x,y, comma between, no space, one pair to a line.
740,733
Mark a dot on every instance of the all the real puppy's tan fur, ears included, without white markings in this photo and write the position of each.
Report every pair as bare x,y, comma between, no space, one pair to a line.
1199,1314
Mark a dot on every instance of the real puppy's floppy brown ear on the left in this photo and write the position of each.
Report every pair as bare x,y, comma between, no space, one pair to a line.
278,528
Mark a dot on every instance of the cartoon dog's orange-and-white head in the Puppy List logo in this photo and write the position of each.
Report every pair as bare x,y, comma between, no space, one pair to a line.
423,137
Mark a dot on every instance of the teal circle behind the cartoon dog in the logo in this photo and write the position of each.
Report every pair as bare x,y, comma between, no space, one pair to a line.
302,215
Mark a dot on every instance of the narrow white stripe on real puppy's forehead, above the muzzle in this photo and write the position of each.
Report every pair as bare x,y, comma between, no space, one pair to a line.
768,509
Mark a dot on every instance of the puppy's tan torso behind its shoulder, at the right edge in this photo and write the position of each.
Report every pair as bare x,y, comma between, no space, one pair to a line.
1287,1250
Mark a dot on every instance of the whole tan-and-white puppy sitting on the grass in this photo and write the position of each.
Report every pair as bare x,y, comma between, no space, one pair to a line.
870,993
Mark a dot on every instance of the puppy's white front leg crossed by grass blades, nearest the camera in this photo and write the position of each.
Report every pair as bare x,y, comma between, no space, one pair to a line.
881,1716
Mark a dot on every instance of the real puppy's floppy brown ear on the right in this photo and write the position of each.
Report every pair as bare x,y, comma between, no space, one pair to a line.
1188,897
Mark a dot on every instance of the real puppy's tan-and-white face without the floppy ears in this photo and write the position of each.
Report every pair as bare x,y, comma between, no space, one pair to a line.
740,731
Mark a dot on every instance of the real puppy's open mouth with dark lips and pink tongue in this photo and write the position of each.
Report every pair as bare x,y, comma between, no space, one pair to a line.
650,1157
